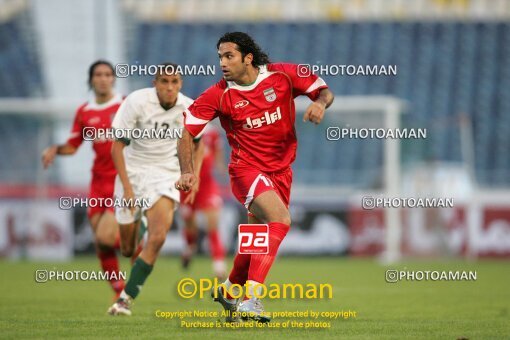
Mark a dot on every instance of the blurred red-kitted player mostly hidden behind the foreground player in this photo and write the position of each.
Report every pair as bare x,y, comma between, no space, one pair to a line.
208,202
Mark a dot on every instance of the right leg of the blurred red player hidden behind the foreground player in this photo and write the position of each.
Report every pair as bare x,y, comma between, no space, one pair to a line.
215,244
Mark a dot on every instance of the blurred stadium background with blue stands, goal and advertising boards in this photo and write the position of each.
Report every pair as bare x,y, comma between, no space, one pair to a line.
453,59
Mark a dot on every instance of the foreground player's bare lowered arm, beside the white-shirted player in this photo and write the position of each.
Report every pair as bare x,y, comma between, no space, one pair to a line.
185,154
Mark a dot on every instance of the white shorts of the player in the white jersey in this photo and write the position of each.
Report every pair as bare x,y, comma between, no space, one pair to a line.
149,185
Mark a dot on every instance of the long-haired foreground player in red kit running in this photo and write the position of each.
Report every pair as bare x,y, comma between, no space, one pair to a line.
255,105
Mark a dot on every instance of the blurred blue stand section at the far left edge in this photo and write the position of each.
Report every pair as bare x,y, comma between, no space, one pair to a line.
20,77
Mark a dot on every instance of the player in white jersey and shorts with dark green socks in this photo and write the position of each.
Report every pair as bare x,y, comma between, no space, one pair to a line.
147,169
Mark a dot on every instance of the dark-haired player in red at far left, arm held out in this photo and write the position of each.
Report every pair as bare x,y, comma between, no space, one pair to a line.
98,114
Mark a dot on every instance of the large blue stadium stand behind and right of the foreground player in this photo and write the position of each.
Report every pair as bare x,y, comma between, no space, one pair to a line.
445,69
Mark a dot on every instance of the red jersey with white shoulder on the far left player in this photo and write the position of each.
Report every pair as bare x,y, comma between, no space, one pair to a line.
97,116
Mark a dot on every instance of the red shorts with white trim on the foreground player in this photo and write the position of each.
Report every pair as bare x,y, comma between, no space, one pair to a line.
247,183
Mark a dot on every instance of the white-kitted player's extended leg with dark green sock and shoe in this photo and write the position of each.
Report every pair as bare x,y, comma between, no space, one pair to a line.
159,220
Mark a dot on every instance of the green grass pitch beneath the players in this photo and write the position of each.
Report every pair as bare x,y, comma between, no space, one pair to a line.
419,310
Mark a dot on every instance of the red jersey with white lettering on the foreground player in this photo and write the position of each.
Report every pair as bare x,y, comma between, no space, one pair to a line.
258,118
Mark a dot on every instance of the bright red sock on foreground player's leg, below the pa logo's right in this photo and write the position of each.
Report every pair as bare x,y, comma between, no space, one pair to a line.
261,263
